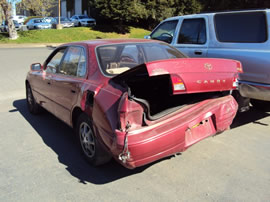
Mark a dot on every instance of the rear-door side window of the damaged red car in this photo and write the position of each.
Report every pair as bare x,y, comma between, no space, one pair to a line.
73,64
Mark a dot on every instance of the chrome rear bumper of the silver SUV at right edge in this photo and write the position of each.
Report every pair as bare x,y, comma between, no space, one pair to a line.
254,90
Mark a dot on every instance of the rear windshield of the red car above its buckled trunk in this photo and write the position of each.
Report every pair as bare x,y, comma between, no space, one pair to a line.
118,58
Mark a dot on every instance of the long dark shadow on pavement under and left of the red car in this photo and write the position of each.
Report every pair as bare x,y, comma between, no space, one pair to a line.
60,138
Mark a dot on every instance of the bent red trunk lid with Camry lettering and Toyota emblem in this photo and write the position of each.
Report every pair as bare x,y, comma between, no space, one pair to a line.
188,75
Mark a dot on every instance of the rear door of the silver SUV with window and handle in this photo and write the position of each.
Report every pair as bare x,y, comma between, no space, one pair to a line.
192,37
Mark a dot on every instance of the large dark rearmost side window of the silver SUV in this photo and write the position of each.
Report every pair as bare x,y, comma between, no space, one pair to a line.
247,27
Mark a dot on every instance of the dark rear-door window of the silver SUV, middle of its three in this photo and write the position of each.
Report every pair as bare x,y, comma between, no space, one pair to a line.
193,31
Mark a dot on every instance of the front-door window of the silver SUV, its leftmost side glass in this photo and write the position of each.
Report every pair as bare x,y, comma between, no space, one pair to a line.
165,31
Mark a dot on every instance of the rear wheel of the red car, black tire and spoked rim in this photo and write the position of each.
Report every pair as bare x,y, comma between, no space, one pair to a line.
90,146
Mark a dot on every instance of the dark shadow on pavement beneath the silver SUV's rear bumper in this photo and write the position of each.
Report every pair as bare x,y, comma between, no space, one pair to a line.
251,116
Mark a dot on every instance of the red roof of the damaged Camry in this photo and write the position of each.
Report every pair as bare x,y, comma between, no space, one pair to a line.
100,42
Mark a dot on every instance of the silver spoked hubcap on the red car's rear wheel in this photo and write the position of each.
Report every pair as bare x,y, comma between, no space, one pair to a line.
87,140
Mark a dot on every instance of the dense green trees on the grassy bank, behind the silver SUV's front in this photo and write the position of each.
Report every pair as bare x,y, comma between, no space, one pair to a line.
142,12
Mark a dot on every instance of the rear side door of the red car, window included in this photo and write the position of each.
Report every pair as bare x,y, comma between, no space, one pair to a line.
66,84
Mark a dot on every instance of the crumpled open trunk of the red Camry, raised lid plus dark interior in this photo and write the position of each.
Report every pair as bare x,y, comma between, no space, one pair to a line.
162,87
